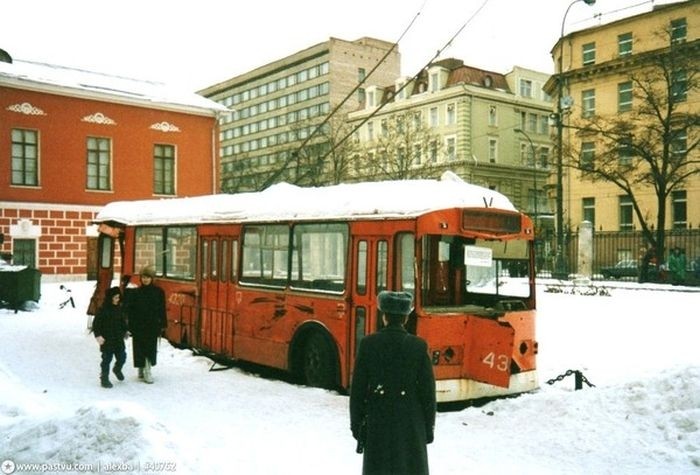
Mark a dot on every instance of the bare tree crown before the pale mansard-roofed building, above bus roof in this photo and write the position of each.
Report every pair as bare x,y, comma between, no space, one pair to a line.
404,149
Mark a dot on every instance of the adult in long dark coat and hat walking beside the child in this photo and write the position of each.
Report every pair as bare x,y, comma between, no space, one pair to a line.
147,321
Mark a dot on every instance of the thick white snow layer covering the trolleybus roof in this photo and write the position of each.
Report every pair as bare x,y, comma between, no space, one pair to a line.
283,201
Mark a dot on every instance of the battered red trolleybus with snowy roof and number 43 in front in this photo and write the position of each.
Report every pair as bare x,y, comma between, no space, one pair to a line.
288,277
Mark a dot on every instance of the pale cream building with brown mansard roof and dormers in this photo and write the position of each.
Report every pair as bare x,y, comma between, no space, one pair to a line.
491,129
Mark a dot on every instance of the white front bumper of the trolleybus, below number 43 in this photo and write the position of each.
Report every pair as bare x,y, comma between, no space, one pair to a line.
450,390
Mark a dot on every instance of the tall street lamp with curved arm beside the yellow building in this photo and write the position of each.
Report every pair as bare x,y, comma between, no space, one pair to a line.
560,265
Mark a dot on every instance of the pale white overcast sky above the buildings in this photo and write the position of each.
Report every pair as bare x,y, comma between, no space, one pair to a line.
194,44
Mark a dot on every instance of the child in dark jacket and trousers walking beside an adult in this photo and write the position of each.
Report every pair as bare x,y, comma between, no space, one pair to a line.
110,329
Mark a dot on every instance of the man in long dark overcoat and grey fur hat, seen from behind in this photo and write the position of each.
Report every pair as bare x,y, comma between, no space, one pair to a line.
392,396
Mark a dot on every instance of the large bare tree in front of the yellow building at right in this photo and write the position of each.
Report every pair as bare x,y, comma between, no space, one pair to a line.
653,142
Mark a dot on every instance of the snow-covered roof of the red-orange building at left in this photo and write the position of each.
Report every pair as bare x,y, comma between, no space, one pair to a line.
81,83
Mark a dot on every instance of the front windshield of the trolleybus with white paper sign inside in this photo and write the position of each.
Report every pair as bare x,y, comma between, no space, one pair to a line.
459,271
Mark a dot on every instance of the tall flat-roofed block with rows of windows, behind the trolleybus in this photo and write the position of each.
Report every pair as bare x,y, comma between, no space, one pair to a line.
274,132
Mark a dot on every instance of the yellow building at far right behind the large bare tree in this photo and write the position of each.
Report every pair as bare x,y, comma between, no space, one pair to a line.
605,70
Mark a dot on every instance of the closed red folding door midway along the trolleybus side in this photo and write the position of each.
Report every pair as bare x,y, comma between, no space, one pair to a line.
216,321
